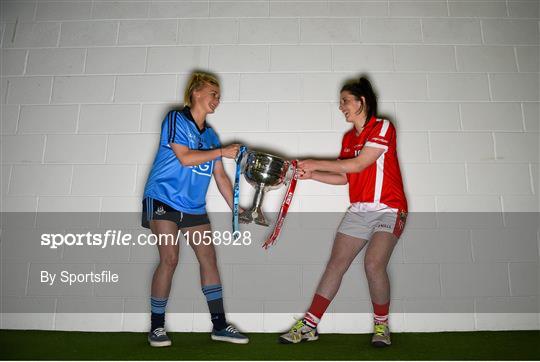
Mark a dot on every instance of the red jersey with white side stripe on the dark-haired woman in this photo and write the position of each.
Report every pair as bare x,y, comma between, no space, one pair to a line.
380,182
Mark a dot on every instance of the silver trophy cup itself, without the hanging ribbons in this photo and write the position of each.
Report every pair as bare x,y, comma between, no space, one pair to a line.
264,172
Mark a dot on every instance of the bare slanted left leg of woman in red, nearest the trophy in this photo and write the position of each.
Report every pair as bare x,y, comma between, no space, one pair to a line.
344,251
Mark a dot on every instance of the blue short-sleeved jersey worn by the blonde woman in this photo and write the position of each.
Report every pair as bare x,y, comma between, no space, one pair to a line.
181,187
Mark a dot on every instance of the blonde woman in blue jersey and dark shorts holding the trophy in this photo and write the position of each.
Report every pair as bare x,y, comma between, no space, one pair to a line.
189,155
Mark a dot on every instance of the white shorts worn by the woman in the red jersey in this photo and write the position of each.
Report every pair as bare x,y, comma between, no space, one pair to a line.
362,220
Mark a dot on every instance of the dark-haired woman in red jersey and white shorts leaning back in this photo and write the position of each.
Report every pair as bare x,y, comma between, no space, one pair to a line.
368,162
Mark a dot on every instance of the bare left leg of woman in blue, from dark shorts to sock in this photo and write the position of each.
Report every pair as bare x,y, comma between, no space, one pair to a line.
168,258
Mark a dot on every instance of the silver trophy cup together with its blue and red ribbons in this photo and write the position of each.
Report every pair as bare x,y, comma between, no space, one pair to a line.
264,172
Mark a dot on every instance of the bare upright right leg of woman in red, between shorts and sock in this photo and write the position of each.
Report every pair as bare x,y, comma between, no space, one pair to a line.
376,260
